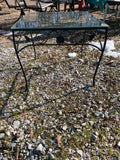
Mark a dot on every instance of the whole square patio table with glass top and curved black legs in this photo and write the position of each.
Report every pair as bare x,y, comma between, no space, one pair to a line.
64,28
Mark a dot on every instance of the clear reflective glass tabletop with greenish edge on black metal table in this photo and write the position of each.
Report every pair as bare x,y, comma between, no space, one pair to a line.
58,20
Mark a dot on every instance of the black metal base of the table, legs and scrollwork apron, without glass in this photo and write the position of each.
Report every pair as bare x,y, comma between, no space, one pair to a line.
63,37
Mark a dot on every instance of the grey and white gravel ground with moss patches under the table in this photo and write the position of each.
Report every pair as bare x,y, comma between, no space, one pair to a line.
60,117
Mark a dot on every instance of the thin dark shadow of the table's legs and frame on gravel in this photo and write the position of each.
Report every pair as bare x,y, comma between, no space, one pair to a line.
25,95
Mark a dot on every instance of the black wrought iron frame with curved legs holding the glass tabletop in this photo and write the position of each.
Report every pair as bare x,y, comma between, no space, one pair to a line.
60,41
